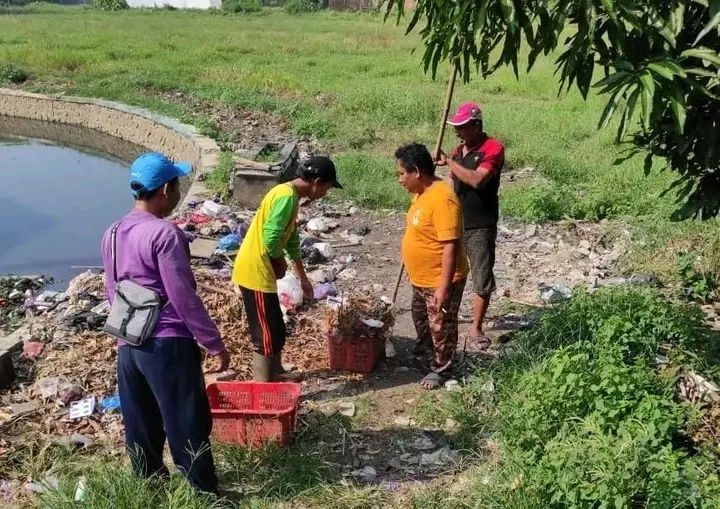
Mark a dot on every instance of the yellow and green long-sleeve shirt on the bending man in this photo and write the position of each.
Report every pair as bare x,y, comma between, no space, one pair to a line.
272,232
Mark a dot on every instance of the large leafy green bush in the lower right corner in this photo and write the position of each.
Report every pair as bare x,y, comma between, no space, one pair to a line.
587,418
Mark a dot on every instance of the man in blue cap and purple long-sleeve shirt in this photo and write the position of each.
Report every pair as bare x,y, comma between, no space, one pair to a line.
161,384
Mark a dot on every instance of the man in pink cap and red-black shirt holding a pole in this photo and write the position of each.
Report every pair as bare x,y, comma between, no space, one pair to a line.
475,167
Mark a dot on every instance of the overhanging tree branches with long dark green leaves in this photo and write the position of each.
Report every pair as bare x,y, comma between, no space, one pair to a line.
659,61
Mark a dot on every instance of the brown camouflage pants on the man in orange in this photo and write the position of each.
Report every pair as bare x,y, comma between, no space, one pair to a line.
437,328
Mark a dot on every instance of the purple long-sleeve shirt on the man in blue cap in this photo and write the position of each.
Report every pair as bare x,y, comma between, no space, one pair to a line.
155,253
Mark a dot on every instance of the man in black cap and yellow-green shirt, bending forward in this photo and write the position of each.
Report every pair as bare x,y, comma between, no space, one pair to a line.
261,261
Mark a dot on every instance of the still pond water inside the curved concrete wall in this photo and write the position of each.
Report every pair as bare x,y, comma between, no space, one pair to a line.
55,203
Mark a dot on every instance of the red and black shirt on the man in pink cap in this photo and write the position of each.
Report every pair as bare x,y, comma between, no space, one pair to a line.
480,206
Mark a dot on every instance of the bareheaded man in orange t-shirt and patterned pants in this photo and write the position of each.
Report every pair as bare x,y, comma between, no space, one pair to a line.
434,258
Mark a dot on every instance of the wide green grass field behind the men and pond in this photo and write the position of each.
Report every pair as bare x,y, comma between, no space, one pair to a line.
348,80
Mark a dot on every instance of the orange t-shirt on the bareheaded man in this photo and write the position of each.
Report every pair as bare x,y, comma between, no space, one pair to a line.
434,217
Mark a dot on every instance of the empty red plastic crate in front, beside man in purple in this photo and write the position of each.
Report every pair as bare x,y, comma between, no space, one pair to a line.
253,413
